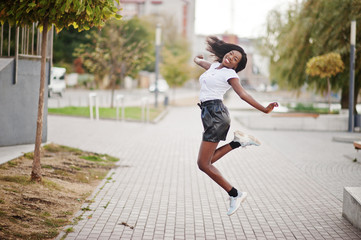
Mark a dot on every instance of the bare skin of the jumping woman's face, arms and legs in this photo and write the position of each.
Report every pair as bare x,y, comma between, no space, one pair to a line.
208,152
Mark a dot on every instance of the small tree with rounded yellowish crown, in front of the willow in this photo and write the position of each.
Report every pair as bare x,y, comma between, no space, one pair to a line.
325,66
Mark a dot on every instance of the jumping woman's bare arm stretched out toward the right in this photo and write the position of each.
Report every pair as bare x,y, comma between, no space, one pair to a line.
234,82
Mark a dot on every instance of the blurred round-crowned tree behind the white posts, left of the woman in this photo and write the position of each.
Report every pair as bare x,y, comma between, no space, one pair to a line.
121,48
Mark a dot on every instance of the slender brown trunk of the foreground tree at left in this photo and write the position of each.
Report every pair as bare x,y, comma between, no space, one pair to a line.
36,171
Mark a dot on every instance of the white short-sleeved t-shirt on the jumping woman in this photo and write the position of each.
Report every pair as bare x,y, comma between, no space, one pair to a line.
214,82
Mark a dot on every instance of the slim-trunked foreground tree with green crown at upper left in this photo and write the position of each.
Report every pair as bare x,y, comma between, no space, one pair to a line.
62,13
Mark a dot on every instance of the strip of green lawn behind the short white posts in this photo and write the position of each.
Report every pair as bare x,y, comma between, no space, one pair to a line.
131,113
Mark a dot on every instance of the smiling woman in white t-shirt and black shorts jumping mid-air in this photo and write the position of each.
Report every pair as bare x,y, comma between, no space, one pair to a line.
219,77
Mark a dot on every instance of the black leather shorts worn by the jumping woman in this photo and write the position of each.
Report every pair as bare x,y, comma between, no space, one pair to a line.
215,120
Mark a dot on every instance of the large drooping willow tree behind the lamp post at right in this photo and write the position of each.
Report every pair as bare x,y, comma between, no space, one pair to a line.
312,28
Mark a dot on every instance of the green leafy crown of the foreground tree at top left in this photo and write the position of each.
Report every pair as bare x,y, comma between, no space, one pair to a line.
62,13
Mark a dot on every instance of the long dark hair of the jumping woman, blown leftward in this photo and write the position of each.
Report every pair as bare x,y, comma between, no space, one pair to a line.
220,48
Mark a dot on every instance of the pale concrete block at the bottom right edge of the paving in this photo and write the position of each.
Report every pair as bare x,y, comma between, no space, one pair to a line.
351,209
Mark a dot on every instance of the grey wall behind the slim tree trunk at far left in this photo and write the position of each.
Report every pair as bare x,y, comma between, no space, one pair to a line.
19,102
